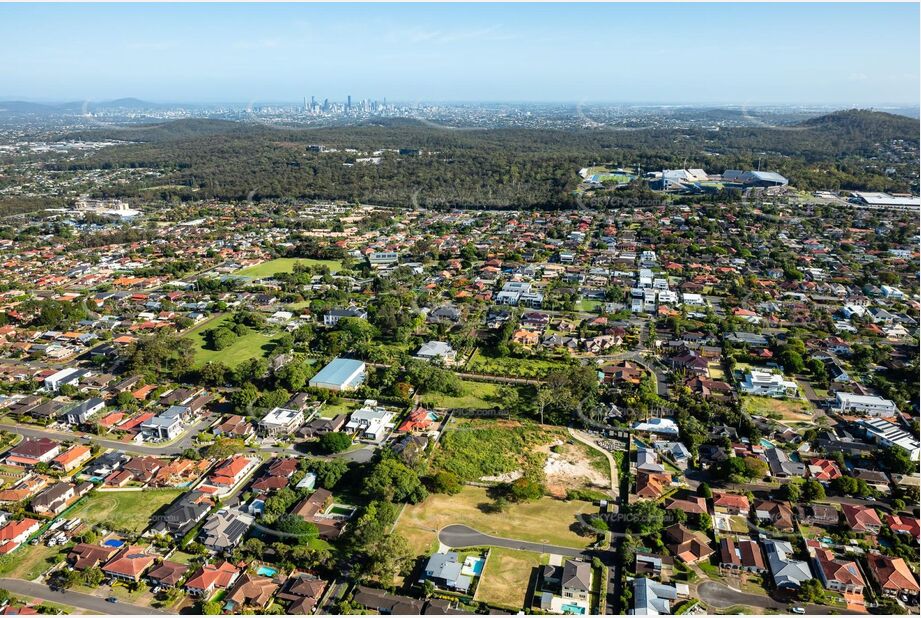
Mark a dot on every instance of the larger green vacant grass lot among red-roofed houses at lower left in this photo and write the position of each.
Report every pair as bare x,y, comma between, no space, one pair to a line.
128,511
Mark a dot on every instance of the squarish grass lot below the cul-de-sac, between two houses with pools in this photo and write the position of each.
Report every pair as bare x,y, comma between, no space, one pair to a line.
507,577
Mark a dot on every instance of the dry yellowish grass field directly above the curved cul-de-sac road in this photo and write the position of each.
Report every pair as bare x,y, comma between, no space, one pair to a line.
545,521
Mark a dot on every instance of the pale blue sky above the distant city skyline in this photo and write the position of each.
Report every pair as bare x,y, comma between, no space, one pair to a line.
740,54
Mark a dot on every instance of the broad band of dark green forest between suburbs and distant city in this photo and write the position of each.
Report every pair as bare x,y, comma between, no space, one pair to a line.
495,168
